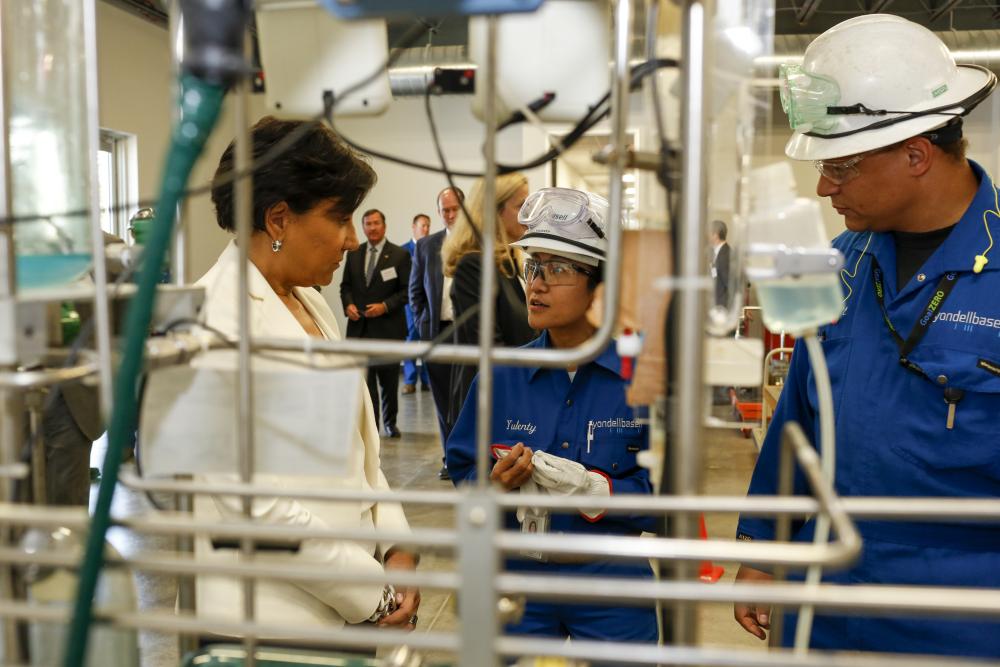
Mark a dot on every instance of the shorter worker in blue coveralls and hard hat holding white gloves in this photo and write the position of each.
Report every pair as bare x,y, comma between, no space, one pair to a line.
566,431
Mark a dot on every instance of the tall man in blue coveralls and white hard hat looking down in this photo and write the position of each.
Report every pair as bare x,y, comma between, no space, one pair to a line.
914,358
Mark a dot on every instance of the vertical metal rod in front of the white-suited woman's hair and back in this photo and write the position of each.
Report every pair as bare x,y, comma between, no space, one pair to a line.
243,190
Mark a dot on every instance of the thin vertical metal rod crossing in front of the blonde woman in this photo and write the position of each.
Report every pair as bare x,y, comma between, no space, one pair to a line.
487,284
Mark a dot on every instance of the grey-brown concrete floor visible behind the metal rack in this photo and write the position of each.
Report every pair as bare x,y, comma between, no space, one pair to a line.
412,462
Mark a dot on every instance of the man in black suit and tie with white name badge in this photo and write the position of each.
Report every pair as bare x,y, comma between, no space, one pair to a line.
373,292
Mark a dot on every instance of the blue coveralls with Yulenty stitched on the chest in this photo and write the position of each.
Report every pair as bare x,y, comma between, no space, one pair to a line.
588,421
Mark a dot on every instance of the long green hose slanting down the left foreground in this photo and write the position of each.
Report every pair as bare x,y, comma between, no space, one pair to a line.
200,103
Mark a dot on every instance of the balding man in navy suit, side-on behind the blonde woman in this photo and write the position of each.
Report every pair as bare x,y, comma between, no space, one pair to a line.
430,300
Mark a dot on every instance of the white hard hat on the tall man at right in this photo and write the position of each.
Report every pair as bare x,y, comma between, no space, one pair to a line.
873,81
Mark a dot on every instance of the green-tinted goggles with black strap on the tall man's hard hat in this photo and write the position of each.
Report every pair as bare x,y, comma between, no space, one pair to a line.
811,102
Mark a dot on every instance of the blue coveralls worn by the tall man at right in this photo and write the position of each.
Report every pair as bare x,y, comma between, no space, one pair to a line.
892,438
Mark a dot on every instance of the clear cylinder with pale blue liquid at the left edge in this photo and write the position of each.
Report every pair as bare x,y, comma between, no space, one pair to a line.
50,170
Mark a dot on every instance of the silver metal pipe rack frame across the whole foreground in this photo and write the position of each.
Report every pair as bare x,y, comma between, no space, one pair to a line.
478,540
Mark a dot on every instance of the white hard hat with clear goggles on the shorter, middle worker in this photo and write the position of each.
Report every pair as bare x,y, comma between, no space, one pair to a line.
565,222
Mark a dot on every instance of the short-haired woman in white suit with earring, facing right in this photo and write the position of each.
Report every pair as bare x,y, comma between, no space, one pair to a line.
302,227
